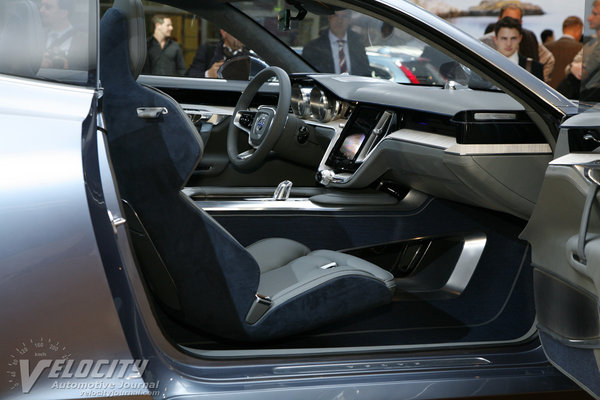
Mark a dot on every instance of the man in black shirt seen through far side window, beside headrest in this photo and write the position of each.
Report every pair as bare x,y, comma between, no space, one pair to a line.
164,56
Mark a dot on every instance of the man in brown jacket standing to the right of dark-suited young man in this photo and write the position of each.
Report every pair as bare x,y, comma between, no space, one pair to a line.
565,48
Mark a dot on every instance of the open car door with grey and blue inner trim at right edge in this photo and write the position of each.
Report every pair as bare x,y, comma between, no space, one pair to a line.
564,233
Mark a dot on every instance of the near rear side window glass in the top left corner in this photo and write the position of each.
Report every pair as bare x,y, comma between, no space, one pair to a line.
49,39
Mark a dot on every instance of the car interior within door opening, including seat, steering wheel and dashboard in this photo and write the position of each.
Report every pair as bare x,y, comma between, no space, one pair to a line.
320,211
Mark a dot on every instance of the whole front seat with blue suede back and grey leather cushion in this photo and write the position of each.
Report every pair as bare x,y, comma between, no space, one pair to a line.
199,273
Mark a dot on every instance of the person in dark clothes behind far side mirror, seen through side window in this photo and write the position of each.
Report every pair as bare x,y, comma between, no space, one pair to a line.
209,58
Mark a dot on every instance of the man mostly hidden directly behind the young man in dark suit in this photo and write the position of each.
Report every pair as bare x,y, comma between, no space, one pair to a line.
529,46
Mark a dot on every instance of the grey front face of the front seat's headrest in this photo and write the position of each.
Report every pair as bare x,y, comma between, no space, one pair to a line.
136,27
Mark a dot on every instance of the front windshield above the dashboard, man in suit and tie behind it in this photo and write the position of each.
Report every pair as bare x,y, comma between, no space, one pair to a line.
344,41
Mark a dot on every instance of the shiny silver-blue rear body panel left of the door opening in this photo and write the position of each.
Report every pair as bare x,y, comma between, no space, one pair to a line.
52,282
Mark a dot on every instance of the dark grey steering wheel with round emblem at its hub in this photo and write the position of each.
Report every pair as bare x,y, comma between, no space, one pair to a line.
264,126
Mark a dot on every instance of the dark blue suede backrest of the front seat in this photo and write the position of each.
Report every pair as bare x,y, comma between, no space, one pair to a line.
216,278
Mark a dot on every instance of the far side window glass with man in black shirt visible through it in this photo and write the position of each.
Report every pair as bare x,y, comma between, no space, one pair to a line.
181,44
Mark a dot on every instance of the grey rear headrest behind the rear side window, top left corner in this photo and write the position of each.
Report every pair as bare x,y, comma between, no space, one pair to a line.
21,38
